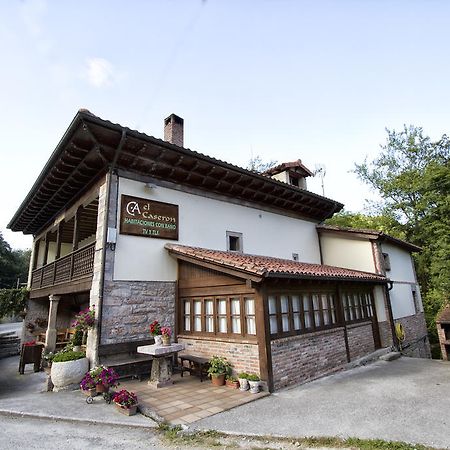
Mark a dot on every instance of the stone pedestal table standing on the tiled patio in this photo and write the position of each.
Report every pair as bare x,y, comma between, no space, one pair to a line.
161,374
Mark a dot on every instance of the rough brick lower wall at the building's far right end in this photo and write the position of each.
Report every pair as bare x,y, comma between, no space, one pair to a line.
415,328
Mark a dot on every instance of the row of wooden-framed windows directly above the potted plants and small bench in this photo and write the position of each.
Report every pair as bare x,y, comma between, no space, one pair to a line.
219,315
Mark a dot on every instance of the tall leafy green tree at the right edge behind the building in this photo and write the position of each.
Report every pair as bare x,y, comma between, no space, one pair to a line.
412,175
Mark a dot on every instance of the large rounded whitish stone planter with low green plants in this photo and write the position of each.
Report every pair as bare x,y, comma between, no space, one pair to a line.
68,369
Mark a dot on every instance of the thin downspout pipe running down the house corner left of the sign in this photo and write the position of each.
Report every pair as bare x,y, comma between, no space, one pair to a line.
105,236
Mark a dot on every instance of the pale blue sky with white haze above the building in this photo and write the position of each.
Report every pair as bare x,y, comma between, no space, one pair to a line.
283,79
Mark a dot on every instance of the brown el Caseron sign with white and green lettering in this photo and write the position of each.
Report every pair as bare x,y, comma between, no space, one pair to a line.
143,217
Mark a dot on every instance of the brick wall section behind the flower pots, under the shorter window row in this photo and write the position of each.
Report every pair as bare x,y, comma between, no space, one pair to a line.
243,356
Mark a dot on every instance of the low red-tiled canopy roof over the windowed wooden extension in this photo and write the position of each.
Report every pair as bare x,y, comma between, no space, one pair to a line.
266,266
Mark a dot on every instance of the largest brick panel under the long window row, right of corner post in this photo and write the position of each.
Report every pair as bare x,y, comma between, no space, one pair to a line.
300,358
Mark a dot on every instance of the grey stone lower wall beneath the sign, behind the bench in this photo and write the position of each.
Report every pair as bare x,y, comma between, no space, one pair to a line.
130,306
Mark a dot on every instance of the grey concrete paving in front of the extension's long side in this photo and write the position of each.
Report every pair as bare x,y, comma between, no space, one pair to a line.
403,400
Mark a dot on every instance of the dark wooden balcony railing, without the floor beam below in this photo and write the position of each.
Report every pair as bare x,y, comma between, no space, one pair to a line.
75,265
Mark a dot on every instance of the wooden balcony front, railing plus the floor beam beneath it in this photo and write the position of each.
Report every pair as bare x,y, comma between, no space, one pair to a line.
69,274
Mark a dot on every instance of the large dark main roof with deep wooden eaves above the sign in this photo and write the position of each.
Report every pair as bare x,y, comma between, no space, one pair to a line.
91,146
